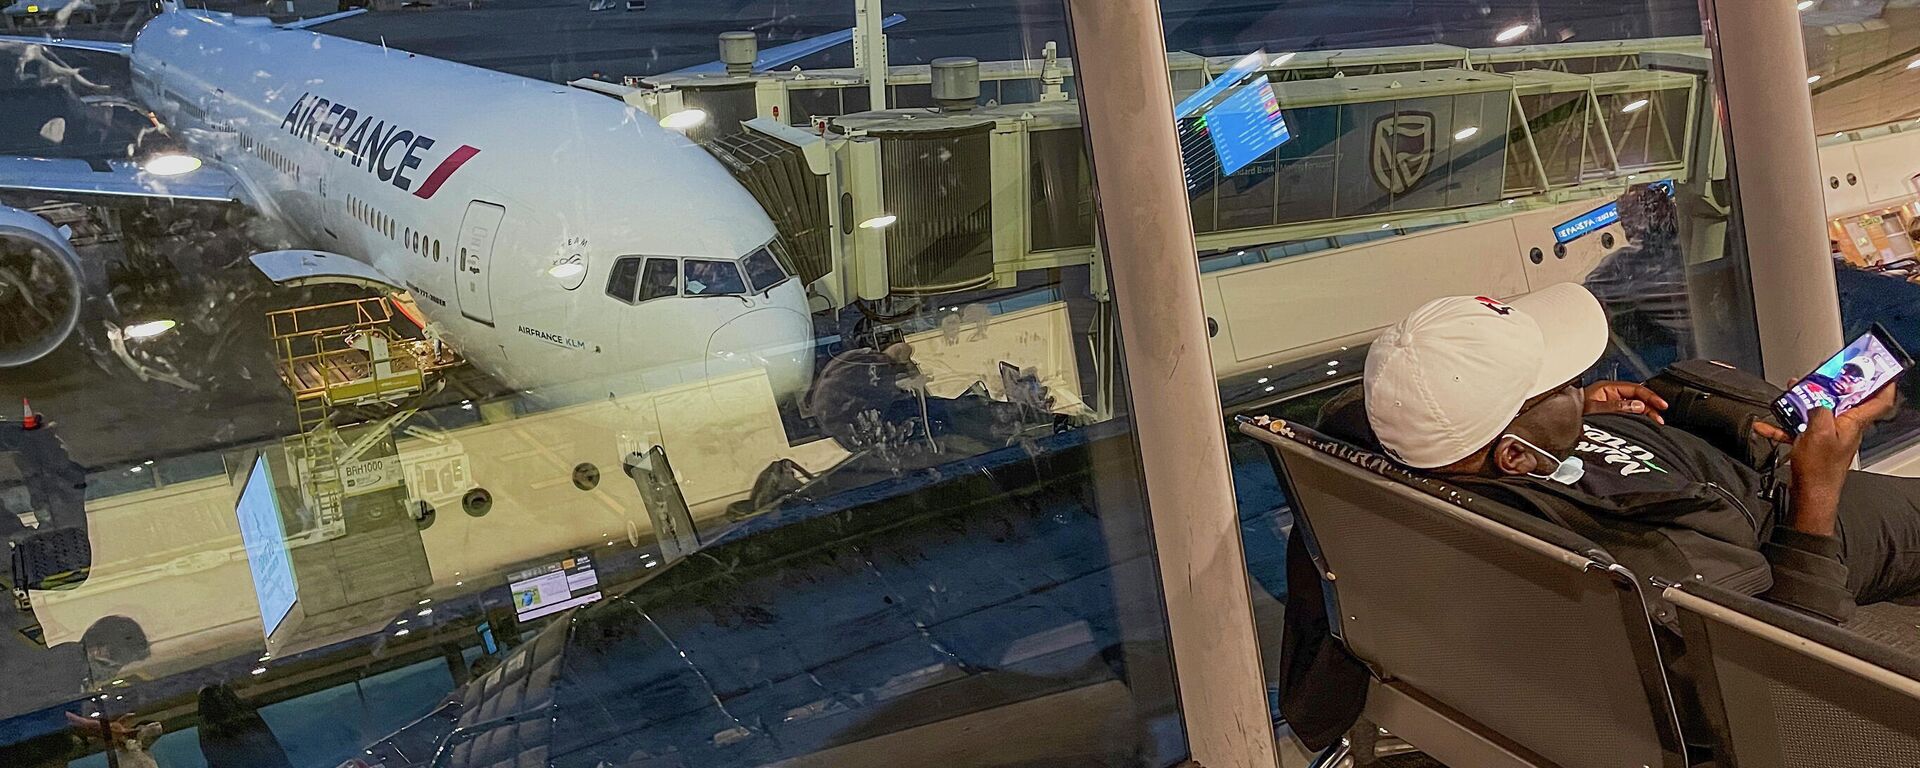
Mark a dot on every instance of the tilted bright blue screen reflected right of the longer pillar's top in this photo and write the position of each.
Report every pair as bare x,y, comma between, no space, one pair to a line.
1234,133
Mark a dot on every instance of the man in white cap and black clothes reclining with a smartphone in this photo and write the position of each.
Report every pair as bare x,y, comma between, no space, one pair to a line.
1483,395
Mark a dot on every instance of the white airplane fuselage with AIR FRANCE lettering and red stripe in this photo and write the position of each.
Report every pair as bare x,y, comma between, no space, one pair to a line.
479,193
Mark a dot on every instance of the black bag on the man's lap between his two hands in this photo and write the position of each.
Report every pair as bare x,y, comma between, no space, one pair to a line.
1721,404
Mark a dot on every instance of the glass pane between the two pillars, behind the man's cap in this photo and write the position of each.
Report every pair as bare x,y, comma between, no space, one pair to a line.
1349,166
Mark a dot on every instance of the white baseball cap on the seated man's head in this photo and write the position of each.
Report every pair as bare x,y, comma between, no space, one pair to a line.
1447,381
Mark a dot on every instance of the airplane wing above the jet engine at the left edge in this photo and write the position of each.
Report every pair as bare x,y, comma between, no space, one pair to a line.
114,180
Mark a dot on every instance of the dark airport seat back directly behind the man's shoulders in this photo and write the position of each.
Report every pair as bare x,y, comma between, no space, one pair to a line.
1495,638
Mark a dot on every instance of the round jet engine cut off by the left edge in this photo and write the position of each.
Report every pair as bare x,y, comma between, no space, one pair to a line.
39,287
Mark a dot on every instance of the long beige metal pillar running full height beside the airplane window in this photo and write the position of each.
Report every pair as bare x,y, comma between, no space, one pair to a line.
1147,243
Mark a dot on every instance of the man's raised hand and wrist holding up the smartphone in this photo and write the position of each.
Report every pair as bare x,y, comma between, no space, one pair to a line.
1825,454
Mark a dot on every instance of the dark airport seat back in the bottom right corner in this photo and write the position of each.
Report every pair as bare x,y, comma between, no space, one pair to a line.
1787,690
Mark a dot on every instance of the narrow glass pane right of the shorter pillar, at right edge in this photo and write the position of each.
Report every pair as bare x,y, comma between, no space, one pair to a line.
1860,66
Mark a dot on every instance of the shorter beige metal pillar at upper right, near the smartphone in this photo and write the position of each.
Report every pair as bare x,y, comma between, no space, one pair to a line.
1762,60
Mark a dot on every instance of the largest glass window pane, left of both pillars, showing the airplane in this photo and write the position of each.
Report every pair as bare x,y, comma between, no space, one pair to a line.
750,418
